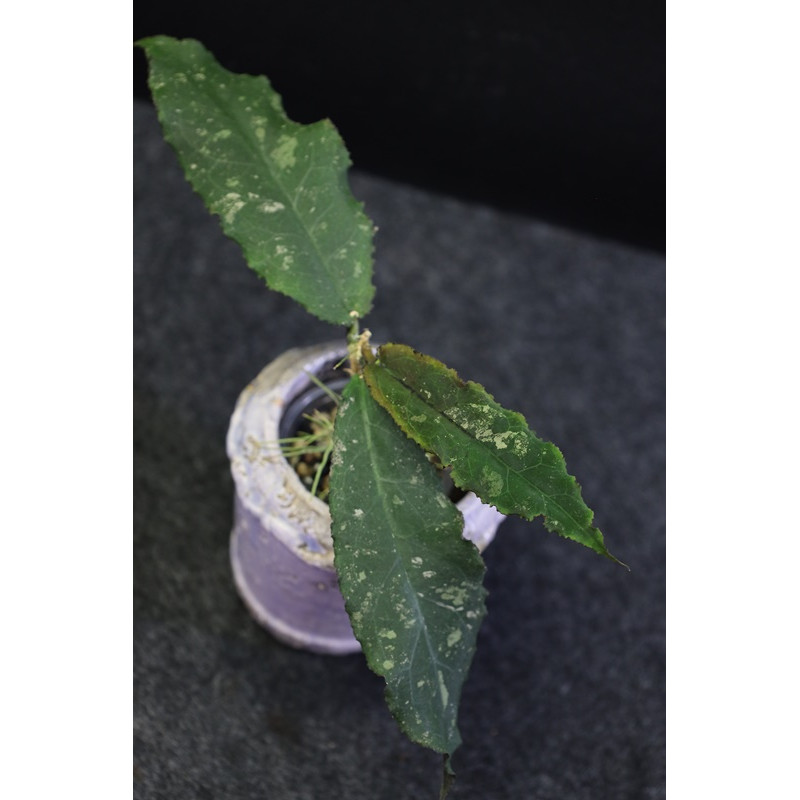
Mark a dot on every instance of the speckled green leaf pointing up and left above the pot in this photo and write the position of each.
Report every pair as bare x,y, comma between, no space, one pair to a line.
279,188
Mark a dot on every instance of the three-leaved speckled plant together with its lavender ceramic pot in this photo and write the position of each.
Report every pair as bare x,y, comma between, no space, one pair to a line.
386,428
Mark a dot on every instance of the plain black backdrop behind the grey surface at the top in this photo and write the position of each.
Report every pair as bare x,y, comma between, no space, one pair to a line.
554,109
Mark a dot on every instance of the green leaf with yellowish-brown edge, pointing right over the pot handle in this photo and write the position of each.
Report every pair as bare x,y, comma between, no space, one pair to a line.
491,450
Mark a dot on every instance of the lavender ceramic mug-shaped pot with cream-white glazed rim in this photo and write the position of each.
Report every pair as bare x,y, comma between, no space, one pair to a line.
281,545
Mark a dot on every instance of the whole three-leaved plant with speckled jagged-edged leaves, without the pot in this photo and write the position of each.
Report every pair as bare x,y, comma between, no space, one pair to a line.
413,586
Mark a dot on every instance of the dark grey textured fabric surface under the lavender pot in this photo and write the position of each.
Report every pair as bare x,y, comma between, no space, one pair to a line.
565,698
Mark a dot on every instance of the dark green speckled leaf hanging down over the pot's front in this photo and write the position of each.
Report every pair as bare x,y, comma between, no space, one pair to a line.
412,584
